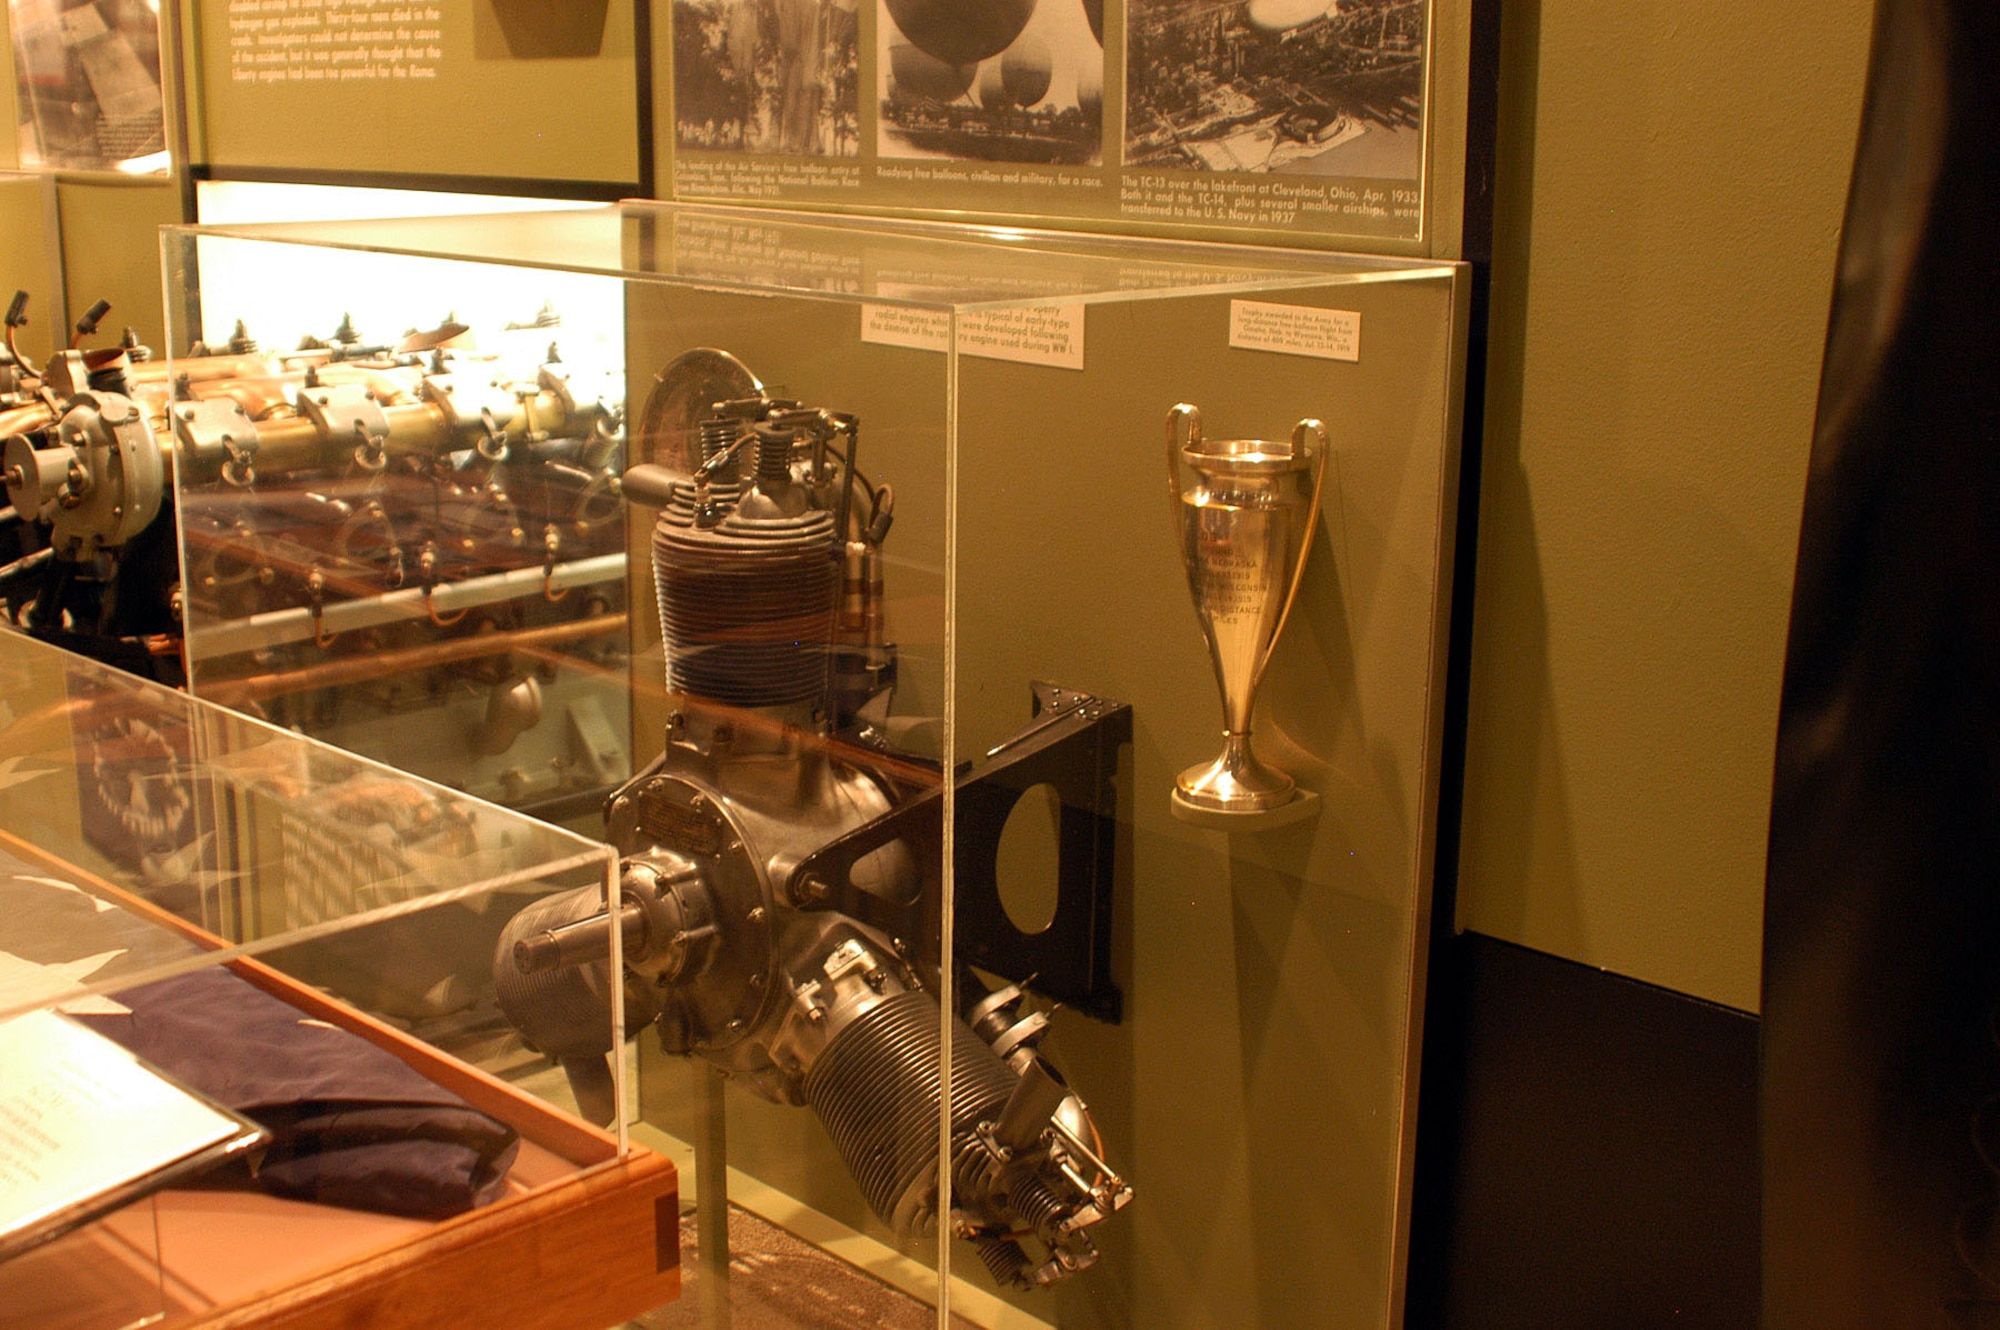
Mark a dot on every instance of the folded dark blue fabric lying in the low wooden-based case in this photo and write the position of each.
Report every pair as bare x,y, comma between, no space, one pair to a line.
351,1123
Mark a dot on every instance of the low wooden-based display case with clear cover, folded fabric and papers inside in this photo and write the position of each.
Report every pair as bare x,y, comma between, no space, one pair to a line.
259,1061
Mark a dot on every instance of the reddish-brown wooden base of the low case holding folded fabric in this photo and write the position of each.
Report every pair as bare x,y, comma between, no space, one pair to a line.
585,1237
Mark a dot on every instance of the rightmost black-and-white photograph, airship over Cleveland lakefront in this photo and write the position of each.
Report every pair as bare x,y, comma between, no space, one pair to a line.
1297,87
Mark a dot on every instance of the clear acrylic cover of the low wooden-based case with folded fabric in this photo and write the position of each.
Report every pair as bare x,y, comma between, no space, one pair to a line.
303,939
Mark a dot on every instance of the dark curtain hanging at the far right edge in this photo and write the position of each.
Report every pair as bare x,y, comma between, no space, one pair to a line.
1881,1063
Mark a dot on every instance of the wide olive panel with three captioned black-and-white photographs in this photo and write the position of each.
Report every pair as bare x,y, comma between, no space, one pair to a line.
1285,121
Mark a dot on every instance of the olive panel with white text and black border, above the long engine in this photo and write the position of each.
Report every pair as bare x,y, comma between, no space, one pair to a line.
517,91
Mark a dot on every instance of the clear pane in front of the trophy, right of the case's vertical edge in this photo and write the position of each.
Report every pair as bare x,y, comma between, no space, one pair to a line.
1267,923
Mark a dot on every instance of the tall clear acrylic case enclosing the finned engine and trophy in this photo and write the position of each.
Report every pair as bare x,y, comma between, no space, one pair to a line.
833,573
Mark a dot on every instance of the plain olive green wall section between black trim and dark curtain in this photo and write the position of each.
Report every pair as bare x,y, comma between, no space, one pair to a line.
1669,203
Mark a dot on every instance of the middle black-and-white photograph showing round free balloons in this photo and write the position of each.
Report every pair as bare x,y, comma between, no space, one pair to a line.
993,81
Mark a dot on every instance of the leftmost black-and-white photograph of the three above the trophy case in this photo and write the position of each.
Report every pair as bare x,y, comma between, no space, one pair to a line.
767,77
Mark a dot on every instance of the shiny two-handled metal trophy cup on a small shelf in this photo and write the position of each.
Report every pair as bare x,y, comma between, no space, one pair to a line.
1245,511
